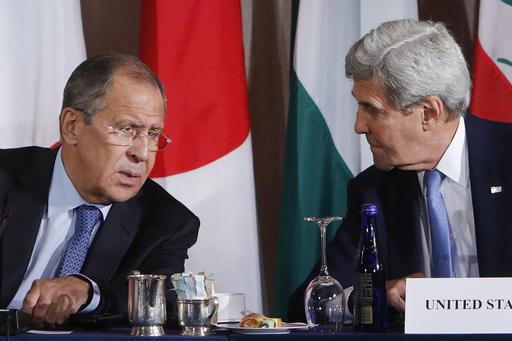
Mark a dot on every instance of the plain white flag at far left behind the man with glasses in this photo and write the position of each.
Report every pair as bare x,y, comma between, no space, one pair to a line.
42,42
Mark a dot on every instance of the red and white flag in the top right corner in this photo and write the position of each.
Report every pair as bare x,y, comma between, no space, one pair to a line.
492,69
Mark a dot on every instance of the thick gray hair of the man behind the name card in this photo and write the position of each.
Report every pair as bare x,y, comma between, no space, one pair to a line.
412,60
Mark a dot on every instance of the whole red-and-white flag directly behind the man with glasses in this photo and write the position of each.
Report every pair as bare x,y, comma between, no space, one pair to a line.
196,48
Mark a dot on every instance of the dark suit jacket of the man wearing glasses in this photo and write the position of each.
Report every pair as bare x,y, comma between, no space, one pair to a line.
150,232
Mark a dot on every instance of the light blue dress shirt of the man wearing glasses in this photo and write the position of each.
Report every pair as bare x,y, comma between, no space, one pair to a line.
56,228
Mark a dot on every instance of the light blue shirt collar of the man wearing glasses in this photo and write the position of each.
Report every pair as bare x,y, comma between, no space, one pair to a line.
63,195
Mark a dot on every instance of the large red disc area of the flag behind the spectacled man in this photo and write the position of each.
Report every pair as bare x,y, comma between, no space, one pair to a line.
196,49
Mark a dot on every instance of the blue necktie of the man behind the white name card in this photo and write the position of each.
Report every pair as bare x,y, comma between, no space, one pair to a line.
441,265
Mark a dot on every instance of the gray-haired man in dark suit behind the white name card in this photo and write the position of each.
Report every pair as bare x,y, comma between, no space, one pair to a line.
412,87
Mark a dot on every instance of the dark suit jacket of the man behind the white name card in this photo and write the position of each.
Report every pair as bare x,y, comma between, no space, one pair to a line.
396,194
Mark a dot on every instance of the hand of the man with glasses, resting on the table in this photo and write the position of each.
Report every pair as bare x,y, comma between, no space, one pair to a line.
52,301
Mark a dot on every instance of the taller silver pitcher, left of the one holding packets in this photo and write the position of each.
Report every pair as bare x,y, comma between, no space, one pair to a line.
146,304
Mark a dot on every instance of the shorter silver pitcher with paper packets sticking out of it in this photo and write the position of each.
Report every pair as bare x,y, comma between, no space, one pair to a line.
195,316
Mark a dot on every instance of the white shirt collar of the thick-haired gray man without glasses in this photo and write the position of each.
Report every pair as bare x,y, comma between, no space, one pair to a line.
454,163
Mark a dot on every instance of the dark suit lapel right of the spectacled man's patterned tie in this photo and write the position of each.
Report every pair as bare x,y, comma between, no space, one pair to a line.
112,241
